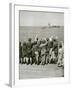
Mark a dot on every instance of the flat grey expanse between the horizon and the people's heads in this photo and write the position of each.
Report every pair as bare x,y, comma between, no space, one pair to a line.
41,32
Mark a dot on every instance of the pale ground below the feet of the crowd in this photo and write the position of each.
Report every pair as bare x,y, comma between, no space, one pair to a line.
40,71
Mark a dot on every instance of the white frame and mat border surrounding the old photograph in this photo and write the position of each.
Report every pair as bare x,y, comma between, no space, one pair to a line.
15,46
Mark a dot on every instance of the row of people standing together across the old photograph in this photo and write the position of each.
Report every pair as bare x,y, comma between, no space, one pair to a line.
44,51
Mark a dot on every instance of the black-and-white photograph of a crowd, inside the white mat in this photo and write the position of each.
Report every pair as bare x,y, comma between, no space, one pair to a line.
41,44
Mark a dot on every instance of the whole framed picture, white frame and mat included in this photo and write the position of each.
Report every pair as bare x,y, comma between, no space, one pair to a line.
38,44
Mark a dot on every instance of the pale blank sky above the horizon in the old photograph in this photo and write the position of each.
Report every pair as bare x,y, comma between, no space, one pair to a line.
32,18
